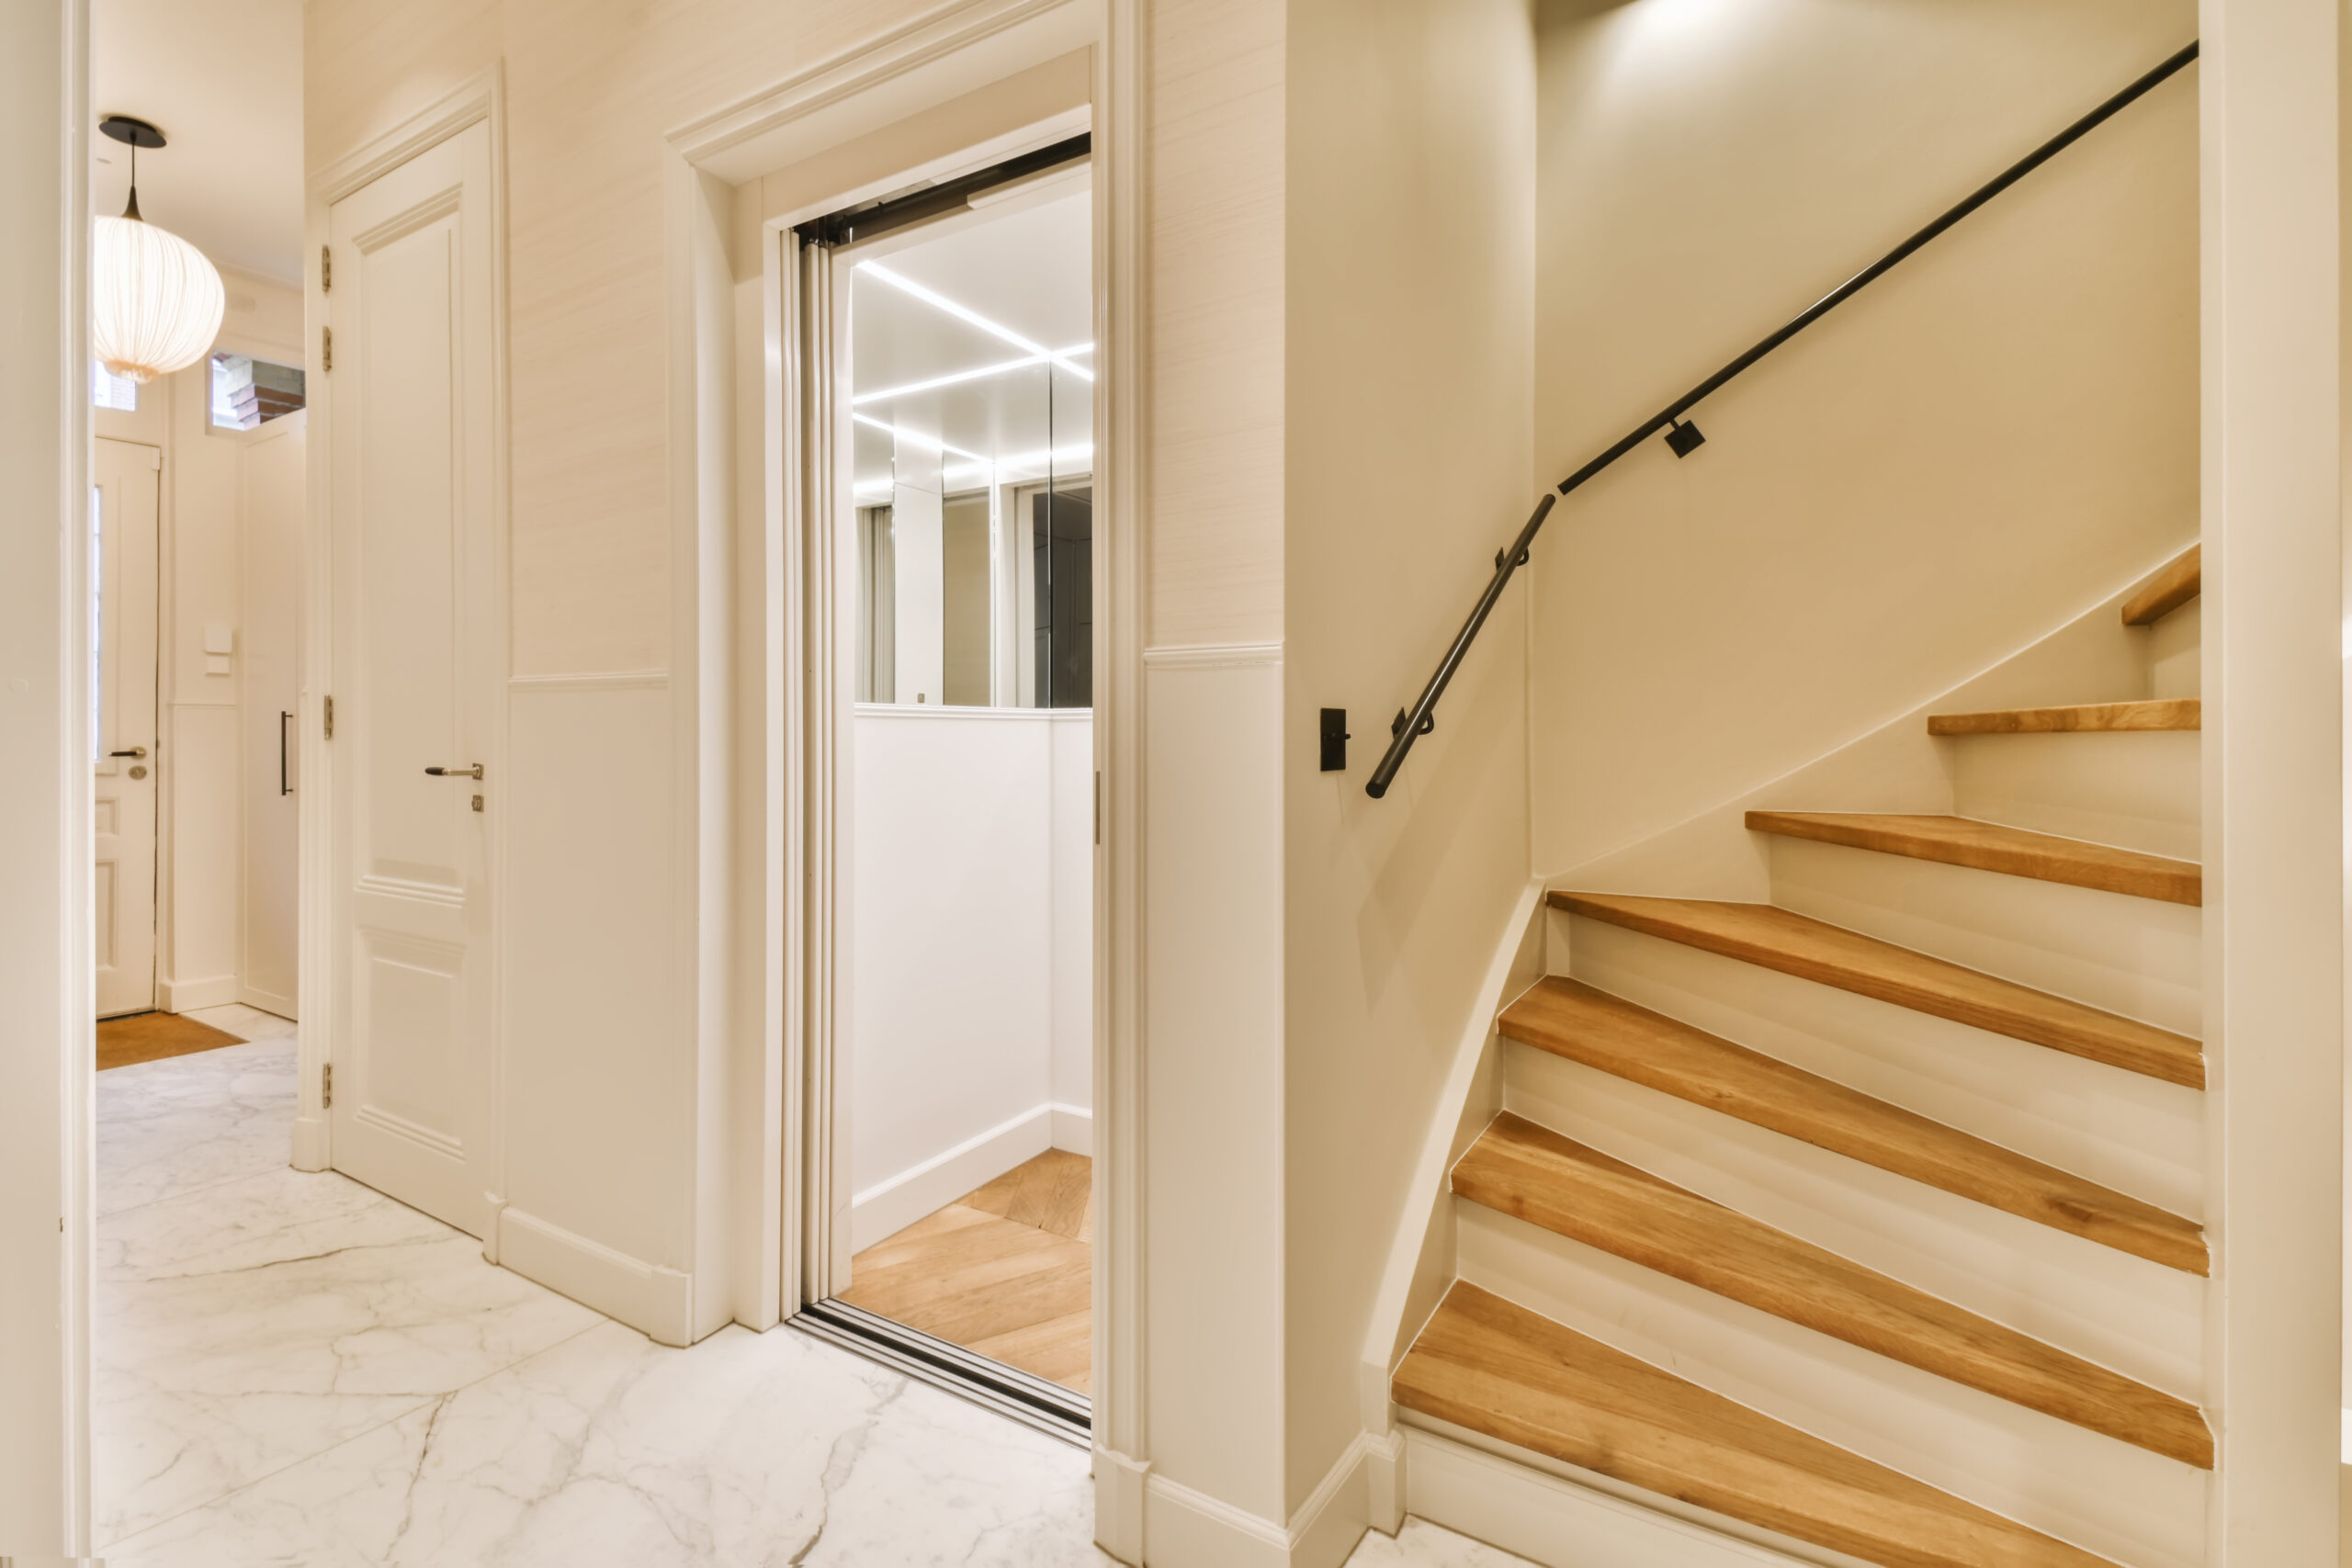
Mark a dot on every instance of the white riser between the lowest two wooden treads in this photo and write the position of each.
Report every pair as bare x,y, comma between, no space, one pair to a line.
2097,1492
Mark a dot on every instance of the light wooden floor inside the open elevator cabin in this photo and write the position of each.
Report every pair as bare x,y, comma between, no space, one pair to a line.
1008,1271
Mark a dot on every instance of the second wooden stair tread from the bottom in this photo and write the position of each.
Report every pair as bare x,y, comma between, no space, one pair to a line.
1572,1191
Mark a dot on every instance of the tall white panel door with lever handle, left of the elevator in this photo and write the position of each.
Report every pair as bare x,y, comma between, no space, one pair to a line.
417,678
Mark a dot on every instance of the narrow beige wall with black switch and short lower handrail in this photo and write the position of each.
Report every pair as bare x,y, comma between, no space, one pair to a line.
1408,443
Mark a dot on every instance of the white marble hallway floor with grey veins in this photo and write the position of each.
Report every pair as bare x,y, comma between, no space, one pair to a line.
295,1369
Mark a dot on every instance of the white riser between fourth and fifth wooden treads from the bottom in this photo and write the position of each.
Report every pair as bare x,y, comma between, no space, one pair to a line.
2139,958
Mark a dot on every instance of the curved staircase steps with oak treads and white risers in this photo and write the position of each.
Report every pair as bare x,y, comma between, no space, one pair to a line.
1866,1224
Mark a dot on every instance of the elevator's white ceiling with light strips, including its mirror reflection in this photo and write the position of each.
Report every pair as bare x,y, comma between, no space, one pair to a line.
1027,272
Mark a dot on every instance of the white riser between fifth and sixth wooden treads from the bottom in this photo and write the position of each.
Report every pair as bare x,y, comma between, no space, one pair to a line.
2130,789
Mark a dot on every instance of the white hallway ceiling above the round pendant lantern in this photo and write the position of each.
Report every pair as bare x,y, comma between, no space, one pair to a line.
222,79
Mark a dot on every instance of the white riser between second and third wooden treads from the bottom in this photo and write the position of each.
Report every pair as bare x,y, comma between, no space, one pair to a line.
2090,1299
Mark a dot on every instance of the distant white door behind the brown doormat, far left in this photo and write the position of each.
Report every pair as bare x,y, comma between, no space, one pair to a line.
123,504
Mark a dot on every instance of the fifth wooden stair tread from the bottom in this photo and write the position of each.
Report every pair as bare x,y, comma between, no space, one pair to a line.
1991,847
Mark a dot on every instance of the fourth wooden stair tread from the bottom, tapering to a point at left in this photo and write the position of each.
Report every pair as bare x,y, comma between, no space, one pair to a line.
1864,965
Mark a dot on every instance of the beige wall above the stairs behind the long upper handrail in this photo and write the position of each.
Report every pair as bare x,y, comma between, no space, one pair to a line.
1982,445
